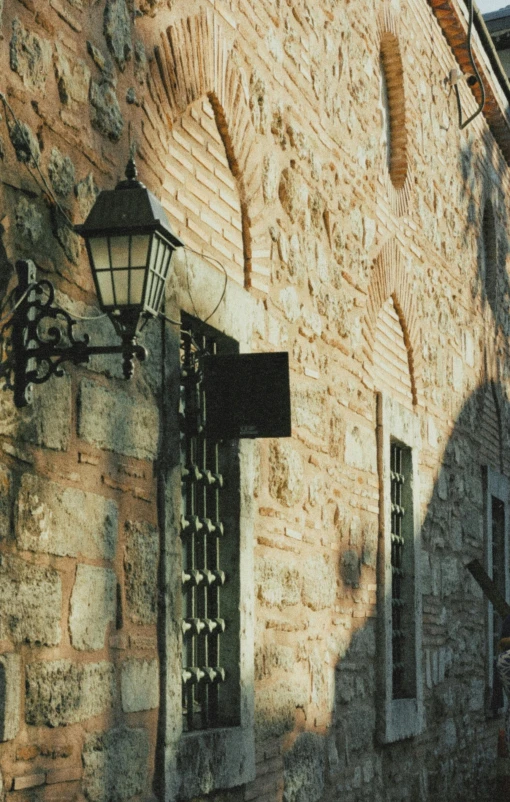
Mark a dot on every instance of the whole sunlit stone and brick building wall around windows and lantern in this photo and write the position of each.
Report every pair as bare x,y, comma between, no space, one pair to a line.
259,124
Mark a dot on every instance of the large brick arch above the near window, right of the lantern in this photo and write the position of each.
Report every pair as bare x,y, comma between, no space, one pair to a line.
196,59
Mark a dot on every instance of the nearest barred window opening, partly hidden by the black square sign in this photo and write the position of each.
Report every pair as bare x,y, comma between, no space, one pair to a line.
210,546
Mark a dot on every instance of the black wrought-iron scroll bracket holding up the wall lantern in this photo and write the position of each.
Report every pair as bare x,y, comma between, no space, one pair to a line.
38,338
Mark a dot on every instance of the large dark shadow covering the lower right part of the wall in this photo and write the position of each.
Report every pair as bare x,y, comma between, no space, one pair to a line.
454,757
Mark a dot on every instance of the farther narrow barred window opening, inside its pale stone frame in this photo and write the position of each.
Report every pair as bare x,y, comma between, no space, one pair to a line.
402,575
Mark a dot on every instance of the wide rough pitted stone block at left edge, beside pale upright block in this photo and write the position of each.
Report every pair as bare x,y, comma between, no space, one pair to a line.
30,602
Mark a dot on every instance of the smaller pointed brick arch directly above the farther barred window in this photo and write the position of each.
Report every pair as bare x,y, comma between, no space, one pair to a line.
390,280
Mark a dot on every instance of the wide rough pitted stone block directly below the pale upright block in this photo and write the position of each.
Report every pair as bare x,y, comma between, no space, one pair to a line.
60,692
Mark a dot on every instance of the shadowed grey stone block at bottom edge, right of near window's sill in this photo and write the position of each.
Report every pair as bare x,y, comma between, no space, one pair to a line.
304,768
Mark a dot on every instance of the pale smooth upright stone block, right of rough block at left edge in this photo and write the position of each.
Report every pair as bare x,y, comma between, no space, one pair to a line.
93,606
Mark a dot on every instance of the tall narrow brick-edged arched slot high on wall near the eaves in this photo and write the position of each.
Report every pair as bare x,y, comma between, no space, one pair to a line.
397,182
